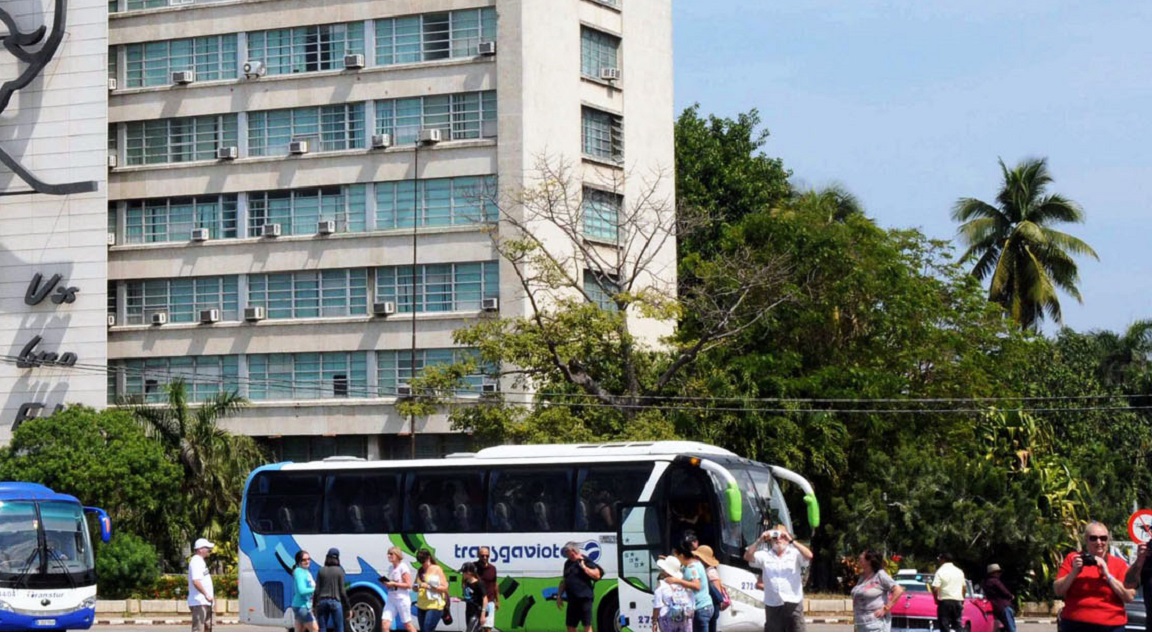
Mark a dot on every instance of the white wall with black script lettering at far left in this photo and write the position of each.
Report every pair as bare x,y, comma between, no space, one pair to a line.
57,128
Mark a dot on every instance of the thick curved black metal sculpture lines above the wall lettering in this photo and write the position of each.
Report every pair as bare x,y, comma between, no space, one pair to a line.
24,47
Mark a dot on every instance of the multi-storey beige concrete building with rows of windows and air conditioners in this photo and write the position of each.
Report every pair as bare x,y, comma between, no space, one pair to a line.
266,161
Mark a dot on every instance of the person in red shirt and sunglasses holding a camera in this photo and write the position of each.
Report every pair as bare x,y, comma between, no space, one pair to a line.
1092,583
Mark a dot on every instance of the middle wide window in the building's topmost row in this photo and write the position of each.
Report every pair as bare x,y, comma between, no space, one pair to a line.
306,49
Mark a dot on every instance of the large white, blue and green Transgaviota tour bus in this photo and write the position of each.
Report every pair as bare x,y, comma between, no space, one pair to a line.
626,504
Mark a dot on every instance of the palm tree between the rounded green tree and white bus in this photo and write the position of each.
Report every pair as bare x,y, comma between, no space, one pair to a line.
216,462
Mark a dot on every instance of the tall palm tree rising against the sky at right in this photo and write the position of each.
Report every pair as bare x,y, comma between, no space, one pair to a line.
1014,243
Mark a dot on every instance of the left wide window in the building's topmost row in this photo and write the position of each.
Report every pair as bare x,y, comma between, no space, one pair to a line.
151,64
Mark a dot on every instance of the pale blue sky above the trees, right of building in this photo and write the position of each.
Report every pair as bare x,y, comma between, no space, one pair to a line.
911,104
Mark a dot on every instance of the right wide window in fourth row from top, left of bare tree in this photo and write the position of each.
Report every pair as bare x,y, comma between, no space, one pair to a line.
448,287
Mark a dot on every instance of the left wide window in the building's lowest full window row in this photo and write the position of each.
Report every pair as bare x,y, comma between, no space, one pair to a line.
203,376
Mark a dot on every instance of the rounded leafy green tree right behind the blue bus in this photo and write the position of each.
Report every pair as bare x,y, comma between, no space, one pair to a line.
105,460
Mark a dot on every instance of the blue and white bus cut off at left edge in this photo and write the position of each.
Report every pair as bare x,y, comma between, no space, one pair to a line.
48,570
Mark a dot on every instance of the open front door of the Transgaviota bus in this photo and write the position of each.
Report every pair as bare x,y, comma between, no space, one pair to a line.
640,544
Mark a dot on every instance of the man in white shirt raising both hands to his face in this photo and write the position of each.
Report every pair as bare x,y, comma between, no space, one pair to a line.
783,570
